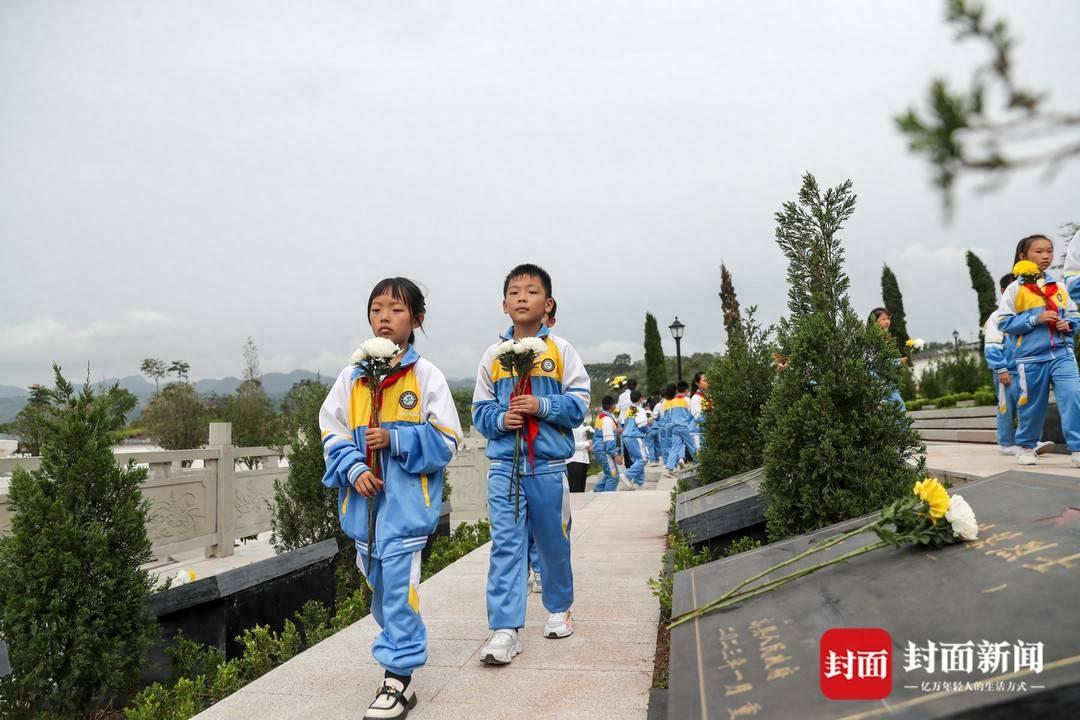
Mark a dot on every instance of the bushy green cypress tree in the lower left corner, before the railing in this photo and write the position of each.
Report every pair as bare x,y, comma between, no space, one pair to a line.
73,597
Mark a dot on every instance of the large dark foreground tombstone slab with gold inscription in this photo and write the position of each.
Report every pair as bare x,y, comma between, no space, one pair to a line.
997,619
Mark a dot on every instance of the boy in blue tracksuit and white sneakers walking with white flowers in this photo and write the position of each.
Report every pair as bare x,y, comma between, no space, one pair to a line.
543,420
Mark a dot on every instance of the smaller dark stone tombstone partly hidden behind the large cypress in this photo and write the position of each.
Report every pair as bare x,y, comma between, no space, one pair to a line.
724,511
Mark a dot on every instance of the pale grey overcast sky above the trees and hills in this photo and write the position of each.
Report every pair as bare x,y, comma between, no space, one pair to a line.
178,176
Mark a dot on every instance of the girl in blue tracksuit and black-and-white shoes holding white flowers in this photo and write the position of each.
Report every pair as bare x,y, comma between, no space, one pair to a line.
417,437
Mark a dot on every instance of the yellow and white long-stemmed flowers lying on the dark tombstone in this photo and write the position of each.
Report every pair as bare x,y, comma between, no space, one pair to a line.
930,517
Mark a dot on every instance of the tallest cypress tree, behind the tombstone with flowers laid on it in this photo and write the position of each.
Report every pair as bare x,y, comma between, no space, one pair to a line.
835,447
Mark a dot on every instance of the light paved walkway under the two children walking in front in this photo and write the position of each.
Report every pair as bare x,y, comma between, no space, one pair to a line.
603,672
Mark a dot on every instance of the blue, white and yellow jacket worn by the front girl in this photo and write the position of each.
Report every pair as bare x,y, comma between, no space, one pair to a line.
425,433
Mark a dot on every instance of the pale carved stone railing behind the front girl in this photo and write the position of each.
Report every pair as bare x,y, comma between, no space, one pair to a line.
204,499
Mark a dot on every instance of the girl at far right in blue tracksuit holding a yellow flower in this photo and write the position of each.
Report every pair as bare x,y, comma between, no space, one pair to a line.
1041,320
